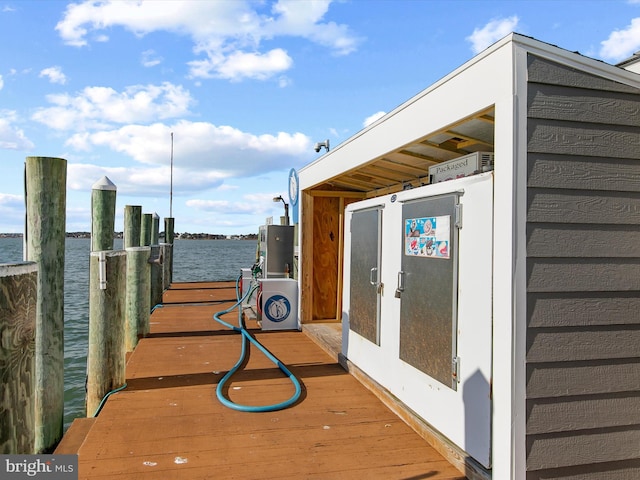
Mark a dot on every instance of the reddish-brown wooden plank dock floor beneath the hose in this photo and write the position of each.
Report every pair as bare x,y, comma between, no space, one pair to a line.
168,423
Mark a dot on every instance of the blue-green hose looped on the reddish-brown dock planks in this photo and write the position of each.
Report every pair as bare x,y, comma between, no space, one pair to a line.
246,338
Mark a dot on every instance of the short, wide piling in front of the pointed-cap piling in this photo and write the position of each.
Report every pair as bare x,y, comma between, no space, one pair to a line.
106,356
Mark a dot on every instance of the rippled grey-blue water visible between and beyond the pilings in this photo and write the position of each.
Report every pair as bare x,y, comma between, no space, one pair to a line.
194,261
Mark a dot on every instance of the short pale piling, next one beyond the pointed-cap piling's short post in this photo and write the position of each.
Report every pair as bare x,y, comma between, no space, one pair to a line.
138,295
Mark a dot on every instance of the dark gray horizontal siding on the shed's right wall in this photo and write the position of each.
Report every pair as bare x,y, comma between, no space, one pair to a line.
583,275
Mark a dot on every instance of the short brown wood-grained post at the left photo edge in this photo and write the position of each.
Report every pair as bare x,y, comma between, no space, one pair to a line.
18,290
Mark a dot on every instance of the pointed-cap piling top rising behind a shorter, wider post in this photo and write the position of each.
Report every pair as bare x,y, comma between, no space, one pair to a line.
103,214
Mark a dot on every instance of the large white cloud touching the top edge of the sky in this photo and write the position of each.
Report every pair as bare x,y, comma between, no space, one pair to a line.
228,34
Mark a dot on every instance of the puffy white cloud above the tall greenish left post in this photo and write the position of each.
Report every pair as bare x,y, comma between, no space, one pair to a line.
99,107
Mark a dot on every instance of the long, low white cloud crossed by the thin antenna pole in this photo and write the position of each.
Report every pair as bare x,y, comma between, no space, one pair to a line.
200,147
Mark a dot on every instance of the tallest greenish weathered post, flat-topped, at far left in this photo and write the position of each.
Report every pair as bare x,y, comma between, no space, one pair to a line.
45,193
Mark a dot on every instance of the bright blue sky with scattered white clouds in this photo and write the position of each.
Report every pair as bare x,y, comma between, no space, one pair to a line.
244,88
